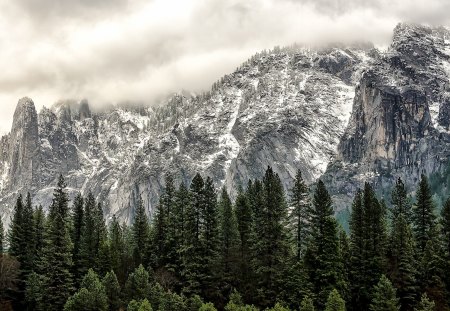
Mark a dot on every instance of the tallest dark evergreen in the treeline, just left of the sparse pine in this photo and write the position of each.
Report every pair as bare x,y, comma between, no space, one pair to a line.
271,247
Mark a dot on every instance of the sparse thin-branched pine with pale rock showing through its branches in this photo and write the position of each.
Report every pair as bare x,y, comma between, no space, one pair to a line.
299,216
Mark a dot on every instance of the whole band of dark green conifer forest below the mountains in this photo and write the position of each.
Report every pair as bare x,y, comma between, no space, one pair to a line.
268,249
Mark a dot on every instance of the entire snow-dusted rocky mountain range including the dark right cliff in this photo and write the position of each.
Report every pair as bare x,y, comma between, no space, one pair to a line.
344,113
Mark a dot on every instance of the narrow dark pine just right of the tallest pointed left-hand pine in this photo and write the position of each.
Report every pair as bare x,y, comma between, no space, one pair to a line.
77,234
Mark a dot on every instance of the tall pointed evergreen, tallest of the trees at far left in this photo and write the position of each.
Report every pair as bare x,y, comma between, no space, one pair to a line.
57,261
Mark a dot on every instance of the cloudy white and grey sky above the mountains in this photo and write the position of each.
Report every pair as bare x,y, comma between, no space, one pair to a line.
114,50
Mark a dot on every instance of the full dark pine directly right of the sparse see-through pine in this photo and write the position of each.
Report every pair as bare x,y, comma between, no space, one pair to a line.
322,256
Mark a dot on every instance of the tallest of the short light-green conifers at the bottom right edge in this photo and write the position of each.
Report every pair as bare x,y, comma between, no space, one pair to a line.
384,296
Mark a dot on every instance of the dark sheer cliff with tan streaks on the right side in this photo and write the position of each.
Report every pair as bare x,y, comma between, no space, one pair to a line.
400,123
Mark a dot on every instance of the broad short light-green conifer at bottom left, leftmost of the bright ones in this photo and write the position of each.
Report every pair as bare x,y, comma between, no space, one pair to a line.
91,296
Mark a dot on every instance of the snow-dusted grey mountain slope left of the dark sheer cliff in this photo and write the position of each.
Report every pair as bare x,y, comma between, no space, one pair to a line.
286,108
